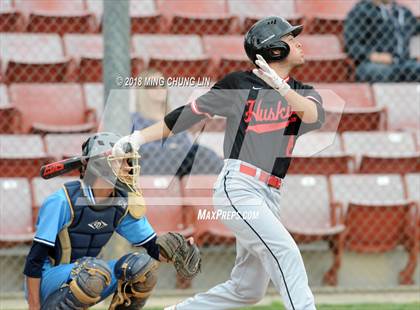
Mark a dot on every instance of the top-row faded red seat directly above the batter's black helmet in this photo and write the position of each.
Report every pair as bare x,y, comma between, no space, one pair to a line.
251,11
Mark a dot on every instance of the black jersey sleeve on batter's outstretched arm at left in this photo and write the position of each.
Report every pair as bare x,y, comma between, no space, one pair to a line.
217,101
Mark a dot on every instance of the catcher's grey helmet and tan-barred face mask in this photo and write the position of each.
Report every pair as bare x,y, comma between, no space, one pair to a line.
120,171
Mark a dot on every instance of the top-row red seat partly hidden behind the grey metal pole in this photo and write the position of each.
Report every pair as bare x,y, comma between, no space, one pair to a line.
143,14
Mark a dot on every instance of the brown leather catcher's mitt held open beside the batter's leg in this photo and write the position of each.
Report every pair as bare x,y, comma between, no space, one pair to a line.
185,256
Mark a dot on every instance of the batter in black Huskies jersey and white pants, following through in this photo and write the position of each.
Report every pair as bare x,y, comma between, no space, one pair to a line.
266,112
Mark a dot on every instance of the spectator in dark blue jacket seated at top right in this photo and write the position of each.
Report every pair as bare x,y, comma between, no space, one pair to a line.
377,36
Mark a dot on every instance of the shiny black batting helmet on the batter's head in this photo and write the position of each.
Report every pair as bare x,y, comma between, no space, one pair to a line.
264,38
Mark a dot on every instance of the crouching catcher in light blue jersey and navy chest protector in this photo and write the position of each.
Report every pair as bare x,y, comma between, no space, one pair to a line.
63,270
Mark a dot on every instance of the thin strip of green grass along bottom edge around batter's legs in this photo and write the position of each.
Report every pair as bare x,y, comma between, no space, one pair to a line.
278,306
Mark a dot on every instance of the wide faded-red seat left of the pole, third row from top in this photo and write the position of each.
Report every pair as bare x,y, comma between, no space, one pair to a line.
53,108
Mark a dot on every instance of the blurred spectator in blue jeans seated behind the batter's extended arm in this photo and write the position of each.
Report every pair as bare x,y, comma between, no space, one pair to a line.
177,154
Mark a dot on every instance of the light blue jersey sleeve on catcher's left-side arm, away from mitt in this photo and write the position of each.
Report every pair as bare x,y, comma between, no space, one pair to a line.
53,215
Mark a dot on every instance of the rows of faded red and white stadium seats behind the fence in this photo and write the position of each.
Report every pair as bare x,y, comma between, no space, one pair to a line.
361,170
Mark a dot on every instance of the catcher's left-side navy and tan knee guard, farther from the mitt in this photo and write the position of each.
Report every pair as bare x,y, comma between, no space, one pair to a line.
90,276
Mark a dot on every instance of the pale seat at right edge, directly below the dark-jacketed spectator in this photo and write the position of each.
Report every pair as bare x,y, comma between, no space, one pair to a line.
402,103
